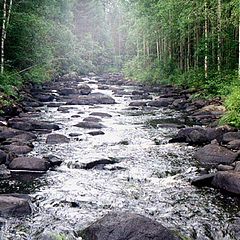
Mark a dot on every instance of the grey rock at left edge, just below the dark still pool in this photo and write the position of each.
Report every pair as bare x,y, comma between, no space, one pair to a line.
14,205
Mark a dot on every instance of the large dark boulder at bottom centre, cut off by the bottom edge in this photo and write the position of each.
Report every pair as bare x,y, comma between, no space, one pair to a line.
126,226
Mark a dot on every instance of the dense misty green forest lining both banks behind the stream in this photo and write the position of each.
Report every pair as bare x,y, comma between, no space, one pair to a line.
189,43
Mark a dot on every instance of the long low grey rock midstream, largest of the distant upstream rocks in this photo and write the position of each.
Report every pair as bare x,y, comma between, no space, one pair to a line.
92,99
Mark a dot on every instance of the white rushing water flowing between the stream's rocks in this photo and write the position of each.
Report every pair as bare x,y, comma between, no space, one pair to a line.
151,177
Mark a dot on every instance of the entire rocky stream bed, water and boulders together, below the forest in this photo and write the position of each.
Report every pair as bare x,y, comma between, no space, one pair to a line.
79,148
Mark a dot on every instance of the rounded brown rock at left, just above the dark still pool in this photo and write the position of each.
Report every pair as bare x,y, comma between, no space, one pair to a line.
29,164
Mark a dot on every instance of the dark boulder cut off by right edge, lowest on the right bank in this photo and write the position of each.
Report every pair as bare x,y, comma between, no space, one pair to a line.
227,181
